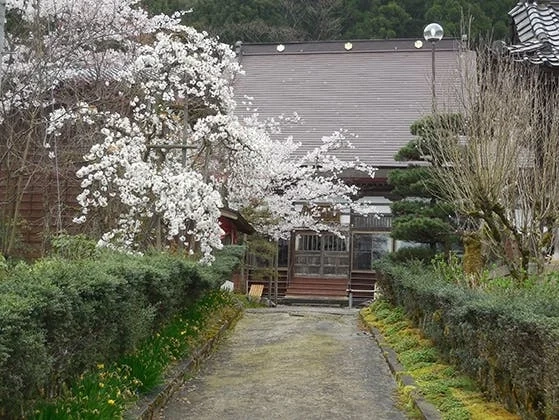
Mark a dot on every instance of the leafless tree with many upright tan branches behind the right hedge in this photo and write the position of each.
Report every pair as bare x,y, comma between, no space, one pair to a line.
505,175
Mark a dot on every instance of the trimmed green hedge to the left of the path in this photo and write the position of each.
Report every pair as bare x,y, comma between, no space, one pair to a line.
58,318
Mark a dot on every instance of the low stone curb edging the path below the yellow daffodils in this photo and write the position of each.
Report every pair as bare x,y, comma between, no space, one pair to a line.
147,407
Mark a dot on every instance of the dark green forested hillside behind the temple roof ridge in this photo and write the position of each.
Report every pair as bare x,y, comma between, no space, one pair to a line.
303,20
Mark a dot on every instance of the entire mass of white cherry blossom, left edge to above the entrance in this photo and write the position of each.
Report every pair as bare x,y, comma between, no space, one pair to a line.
152,100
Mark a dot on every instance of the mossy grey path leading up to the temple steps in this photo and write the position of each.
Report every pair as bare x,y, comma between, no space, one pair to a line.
291,363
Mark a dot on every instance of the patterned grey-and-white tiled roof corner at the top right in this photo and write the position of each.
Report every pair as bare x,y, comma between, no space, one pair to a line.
536,33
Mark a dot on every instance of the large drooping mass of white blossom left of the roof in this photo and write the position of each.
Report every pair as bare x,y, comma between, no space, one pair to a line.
162,68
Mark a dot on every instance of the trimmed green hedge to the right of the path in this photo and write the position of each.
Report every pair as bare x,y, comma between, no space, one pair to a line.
508,341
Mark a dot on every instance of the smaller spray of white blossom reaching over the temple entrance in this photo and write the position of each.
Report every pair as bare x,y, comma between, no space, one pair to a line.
274,179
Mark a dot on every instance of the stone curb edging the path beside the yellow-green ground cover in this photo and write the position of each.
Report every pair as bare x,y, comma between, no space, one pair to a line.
427,410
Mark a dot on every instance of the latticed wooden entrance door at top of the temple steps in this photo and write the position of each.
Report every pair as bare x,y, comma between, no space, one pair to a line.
320,255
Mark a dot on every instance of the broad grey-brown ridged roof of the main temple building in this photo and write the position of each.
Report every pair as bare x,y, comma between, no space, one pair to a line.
376,89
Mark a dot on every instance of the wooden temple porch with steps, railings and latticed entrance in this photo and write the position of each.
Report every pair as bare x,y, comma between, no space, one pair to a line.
324,269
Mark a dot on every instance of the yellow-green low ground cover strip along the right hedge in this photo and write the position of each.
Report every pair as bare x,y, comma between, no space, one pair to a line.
455,395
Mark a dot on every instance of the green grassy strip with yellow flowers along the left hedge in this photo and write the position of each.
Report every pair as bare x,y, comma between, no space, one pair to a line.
107,391
